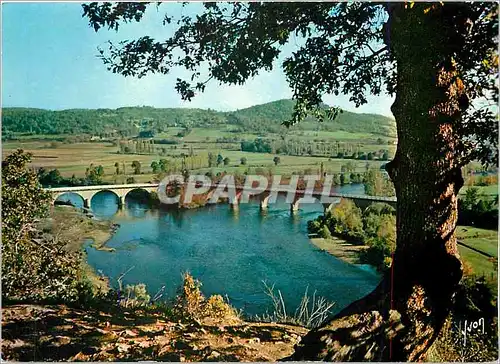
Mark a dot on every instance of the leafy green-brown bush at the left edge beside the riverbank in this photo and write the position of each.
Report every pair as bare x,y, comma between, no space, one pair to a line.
35,267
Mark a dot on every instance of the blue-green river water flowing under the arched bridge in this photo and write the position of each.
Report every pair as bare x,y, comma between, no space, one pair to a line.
230,252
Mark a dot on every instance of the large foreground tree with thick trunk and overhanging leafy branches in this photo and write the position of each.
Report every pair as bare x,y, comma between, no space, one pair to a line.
440,61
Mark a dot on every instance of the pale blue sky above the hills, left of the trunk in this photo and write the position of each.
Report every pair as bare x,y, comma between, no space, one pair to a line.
49,61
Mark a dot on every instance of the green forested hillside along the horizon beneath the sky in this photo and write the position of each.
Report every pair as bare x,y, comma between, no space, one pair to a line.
266,118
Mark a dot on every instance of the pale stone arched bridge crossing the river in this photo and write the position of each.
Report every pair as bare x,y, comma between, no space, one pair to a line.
121,191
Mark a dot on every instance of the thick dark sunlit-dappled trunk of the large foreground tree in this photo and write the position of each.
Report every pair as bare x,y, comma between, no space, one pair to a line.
402,317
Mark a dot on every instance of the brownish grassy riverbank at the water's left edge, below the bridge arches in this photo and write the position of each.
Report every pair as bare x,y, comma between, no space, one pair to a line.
75,227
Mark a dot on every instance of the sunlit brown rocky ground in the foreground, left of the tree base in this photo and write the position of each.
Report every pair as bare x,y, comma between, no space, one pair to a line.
60,333
